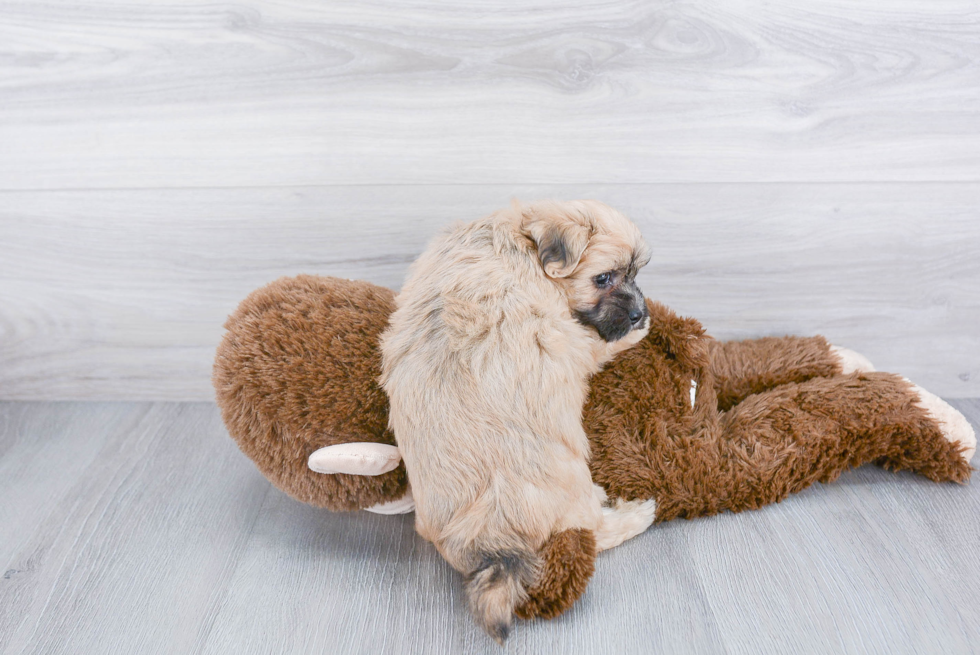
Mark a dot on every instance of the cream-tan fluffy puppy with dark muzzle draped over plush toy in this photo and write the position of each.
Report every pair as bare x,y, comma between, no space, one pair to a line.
486,361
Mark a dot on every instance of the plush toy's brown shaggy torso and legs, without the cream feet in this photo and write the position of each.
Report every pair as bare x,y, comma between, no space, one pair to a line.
647,440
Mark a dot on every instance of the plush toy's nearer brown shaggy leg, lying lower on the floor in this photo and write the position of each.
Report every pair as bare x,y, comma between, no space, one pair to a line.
783,440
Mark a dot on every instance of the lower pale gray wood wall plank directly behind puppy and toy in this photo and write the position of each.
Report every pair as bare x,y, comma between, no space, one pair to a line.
121,294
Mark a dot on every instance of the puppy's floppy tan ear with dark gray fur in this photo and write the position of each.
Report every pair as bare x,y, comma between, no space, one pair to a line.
560,238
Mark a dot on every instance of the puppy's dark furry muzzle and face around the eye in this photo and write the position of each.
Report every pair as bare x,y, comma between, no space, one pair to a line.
618,308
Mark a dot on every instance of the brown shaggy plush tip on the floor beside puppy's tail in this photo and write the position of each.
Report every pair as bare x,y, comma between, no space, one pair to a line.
568,562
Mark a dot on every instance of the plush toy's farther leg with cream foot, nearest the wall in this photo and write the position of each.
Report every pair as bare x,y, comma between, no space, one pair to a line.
742,368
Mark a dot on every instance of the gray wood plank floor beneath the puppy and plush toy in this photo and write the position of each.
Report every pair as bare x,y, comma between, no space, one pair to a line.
139,528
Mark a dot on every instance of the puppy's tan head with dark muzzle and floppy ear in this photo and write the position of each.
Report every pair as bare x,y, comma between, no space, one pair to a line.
594,253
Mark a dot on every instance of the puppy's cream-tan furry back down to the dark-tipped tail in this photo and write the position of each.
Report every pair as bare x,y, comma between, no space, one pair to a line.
486,373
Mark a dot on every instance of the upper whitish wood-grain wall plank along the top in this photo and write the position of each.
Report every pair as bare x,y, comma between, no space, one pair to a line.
108,94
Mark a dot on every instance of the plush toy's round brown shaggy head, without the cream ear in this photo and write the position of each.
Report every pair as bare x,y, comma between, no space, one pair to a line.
297,371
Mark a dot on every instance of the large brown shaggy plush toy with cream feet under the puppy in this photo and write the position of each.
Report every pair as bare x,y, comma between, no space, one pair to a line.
699,426
